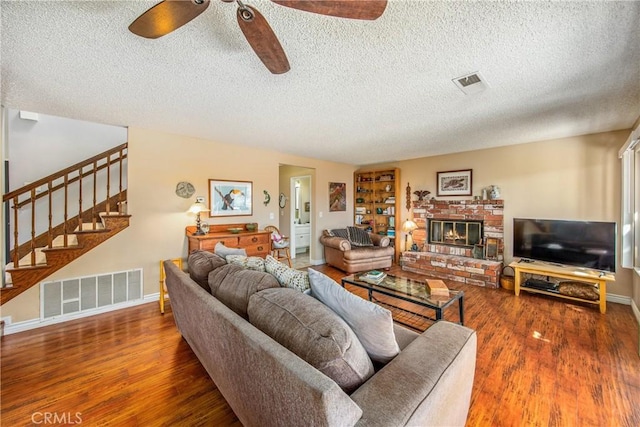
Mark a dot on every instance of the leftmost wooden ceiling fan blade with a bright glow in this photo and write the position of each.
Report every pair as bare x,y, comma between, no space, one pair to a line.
167,16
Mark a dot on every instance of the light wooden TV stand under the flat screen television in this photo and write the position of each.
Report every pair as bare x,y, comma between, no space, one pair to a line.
585,275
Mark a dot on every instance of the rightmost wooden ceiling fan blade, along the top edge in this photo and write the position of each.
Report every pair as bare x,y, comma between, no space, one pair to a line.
355,9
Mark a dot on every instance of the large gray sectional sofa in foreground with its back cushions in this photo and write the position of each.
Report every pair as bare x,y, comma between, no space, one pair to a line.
319,377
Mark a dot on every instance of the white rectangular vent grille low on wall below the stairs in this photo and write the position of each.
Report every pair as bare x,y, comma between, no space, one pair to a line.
69,297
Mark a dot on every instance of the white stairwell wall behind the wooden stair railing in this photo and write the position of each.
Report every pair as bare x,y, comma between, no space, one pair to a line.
36,149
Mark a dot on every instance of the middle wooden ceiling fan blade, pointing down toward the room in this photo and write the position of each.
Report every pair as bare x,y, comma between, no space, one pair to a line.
262,39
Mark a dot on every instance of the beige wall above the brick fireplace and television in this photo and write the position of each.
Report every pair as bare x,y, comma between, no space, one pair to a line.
570,178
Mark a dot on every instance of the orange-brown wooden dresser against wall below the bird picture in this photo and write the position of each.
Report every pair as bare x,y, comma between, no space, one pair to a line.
256,243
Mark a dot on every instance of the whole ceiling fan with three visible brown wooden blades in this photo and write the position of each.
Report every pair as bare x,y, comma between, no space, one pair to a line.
169,15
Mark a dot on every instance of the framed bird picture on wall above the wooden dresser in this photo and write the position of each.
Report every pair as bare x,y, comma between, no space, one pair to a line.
230,198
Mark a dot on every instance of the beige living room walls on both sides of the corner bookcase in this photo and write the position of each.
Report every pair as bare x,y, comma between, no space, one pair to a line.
574,178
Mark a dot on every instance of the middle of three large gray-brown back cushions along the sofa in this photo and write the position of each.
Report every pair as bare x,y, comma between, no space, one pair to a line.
233,286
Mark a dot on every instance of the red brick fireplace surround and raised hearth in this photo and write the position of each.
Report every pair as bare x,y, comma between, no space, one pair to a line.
457,263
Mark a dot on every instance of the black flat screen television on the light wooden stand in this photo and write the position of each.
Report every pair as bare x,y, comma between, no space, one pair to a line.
586,244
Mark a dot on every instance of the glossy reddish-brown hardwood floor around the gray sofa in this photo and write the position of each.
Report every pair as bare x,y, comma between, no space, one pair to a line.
541,362
